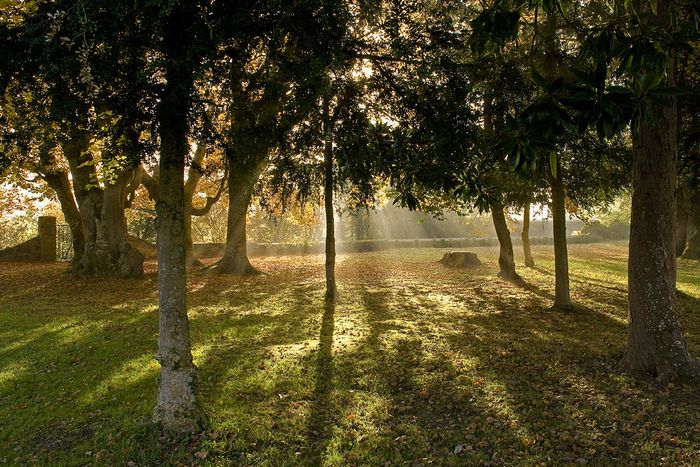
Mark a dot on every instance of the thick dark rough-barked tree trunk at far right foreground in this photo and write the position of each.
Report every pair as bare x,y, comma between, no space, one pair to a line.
656,346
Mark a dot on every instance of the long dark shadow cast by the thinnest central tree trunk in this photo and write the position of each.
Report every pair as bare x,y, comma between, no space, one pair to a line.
321,416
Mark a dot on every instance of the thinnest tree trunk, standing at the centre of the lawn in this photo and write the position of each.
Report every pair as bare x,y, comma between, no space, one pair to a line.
331,290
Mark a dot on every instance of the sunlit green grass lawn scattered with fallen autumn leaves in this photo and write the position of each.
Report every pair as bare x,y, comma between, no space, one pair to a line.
416,365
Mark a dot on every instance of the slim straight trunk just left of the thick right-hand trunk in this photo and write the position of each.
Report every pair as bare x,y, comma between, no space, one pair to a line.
562,296
